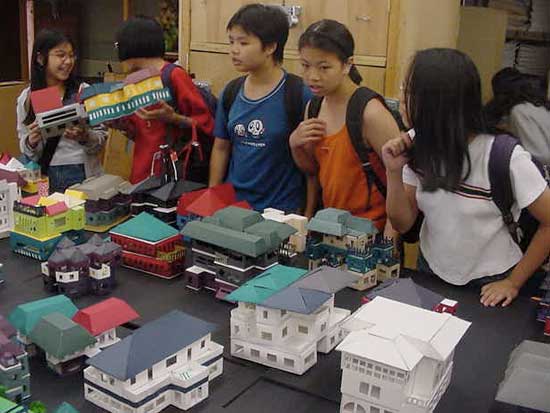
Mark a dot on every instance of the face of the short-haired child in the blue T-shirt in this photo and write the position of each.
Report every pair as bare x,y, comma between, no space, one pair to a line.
246,50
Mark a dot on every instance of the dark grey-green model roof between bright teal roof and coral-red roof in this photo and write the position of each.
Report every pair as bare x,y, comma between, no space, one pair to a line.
60,336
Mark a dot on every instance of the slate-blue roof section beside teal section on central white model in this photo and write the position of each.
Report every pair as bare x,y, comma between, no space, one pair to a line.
298,300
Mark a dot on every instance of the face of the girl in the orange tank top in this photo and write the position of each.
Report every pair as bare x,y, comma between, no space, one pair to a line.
323,71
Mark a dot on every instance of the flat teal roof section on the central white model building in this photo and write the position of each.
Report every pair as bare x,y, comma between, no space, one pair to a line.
263,286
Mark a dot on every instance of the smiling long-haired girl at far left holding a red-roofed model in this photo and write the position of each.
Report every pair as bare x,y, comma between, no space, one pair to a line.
73,156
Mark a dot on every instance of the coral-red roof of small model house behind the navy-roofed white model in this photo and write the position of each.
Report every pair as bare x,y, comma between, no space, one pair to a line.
104,316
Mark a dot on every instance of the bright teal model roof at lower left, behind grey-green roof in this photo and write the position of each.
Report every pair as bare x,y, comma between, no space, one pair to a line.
25,316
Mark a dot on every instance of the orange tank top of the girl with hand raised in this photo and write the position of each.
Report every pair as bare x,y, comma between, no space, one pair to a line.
343,181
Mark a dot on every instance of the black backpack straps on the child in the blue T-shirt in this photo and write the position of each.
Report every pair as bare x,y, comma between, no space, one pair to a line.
294,101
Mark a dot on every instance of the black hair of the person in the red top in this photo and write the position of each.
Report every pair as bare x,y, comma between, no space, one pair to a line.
140,37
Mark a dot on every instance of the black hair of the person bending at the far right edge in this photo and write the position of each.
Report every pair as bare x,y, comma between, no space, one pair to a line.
510,88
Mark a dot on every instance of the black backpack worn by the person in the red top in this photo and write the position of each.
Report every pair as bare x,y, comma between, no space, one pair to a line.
194,149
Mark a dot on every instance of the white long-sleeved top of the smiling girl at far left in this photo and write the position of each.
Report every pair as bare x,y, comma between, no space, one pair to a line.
68,152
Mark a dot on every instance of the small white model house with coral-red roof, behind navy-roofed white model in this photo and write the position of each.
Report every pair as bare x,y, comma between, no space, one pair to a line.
101,320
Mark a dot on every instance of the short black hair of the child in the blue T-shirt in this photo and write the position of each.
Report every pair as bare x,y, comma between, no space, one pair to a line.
267,23
